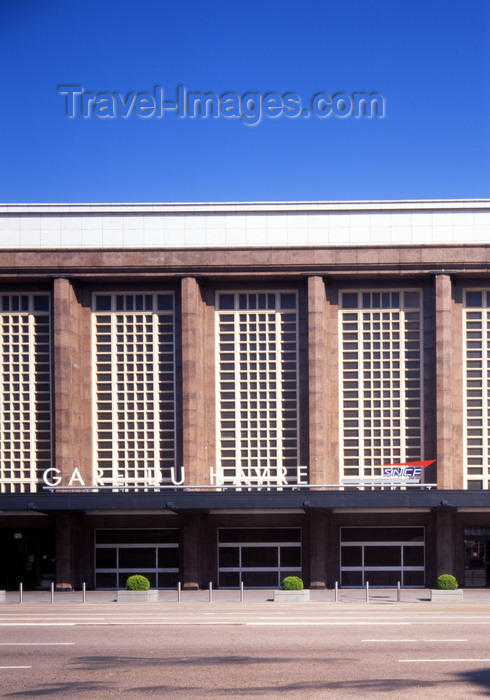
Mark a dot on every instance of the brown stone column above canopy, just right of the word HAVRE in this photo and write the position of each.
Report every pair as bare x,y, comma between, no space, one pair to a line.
323,386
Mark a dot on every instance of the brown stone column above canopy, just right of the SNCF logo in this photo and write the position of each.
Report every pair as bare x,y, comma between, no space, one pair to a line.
448,379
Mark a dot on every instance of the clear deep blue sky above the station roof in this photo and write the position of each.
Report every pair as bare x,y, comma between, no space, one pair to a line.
430,59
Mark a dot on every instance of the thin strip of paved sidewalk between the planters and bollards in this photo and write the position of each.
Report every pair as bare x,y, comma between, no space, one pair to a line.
376,595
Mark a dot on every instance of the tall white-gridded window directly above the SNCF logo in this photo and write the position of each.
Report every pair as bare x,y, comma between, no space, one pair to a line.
381,380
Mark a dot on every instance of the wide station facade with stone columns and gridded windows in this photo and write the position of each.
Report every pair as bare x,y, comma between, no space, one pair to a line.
219,392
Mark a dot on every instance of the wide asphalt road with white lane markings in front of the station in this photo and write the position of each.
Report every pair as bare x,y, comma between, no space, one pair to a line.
248,650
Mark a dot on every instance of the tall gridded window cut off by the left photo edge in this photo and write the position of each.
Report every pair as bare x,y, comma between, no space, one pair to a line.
25,391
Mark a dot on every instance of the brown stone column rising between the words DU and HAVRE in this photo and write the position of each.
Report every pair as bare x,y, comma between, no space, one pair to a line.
198,448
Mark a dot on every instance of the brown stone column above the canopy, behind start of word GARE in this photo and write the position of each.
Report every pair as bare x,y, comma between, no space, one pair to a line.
71,382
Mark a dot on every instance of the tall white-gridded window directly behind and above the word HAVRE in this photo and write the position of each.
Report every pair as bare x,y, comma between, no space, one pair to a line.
257,387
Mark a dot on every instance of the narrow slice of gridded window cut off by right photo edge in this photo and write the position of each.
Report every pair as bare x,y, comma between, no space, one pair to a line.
476,316
